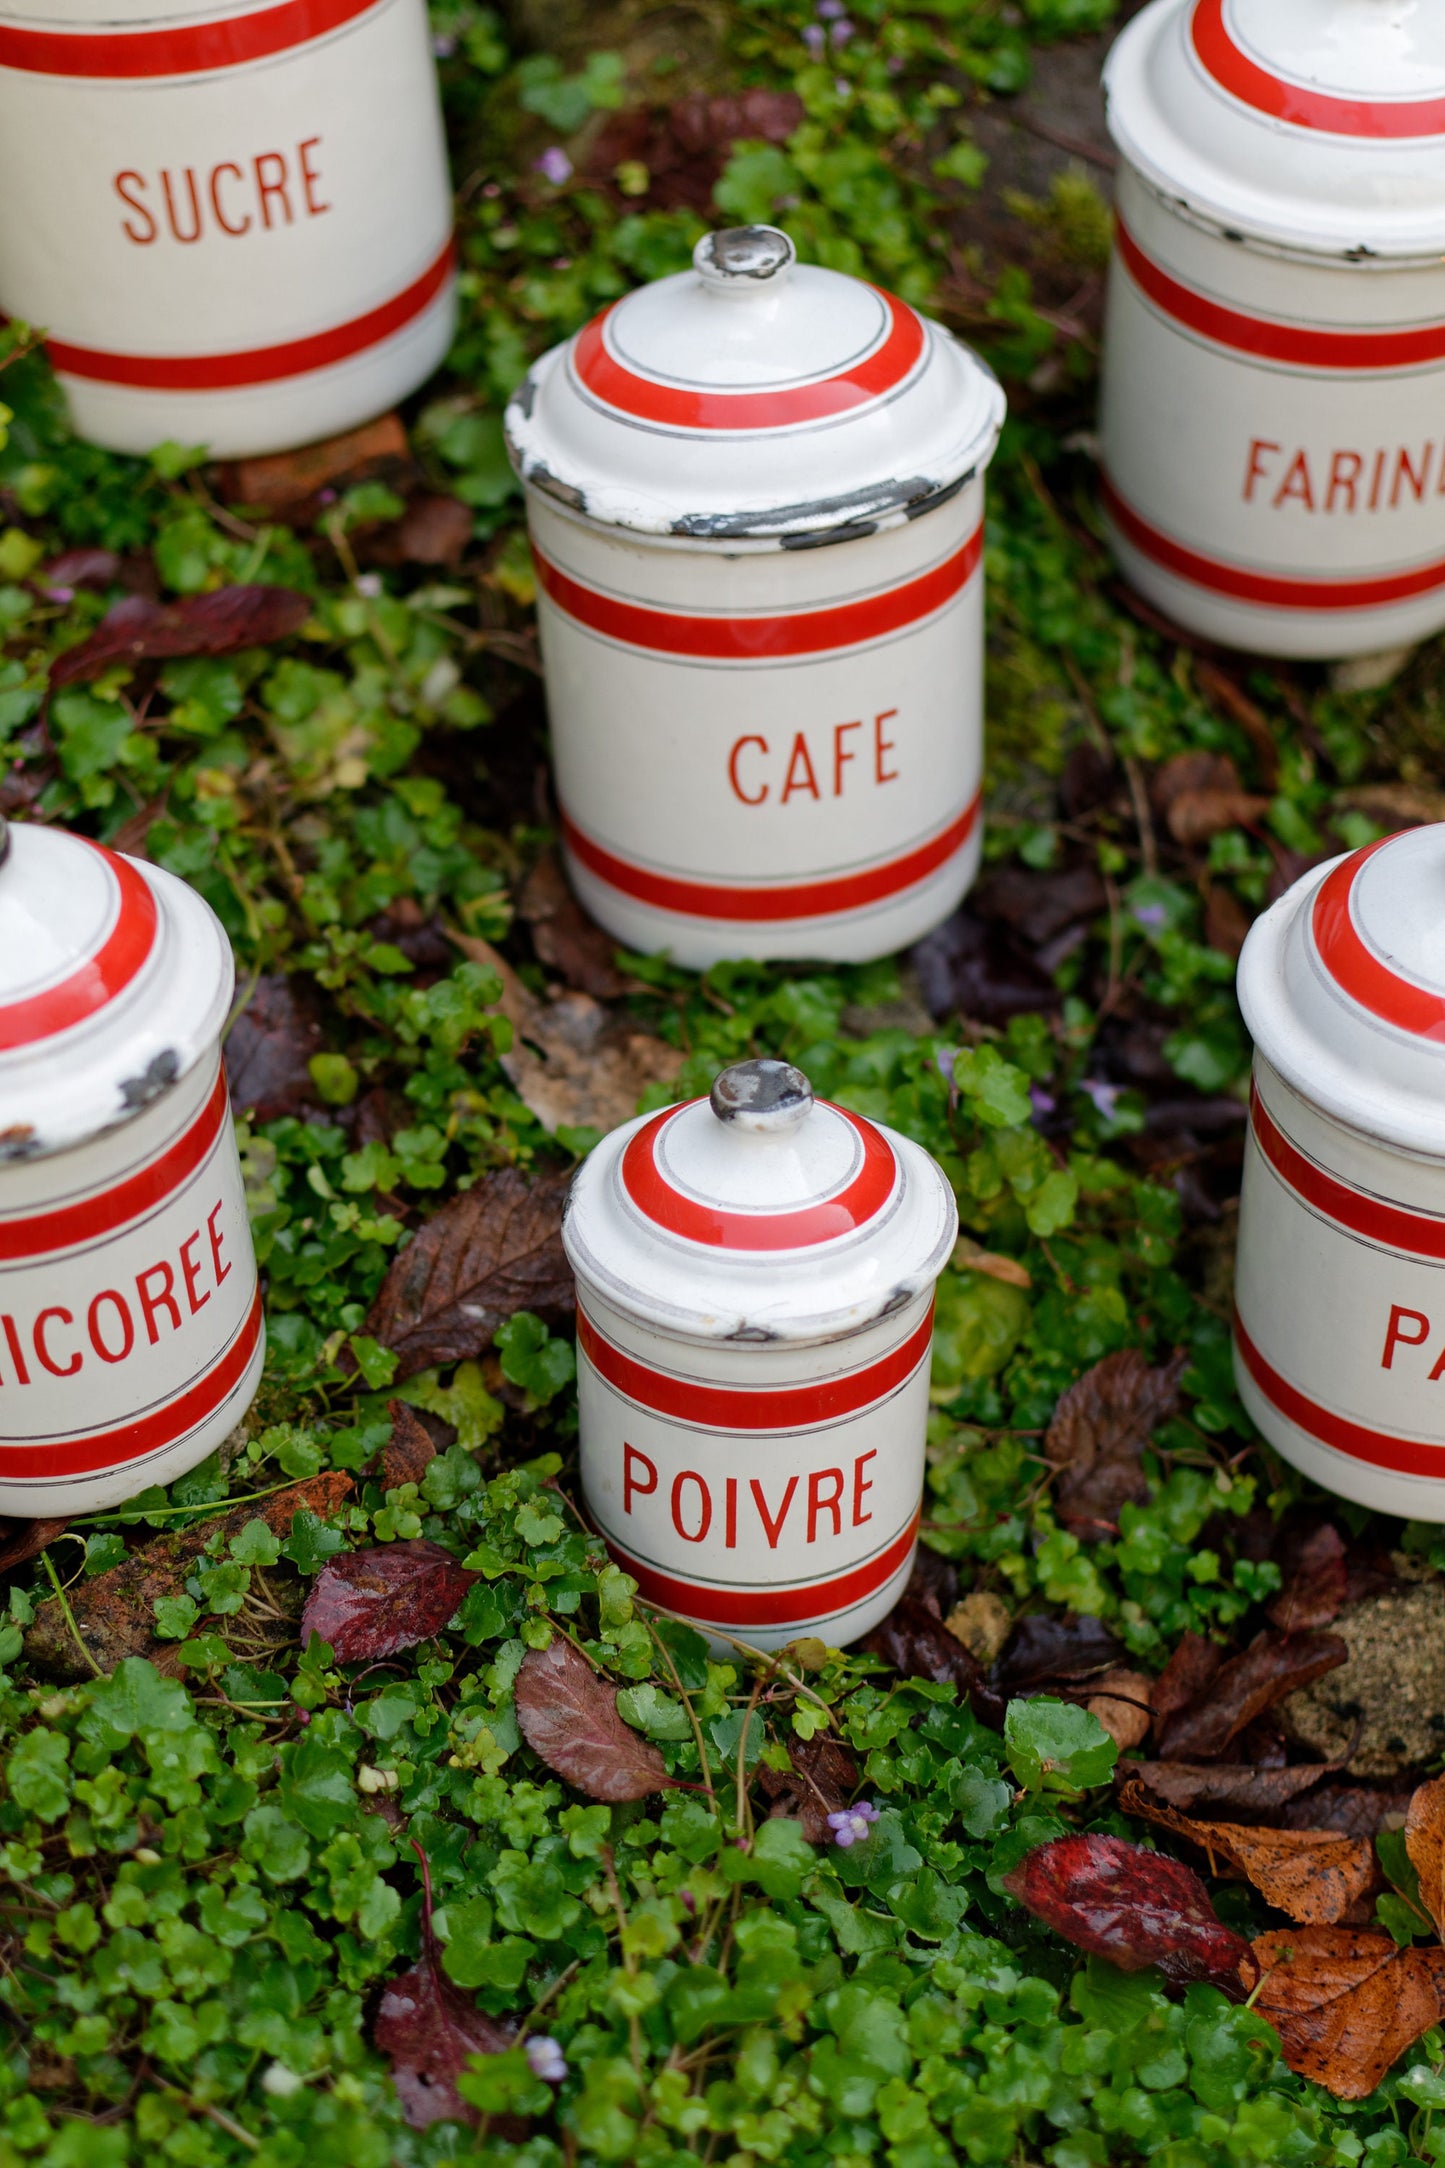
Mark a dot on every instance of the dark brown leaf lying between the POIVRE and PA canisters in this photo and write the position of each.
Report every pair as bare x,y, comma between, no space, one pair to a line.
1099,1432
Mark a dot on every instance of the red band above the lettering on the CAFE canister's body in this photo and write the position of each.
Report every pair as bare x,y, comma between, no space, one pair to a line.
807,632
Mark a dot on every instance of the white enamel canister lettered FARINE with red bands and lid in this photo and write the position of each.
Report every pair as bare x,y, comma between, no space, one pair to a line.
1273,426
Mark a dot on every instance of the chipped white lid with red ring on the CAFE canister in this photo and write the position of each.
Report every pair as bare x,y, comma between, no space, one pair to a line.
755,398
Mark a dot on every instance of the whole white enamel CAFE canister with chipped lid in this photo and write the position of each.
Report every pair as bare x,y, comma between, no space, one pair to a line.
757,515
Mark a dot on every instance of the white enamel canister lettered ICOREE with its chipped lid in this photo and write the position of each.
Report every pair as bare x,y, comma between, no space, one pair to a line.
131,1332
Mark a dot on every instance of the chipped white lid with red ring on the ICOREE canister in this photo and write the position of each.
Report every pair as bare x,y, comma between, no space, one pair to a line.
114,983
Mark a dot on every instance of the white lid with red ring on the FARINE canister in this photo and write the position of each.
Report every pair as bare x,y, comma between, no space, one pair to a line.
1316,125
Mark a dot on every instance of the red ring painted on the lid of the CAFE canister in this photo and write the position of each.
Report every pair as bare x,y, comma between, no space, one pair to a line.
707,409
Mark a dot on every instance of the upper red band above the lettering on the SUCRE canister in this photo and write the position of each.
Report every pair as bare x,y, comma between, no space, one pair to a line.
183,51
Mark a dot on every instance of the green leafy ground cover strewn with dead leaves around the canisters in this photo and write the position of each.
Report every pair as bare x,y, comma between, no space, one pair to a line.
352,1809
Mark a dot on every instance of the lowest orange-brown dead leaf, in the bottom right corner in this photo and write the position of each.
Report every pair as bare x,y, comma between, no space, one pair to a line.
1346,2002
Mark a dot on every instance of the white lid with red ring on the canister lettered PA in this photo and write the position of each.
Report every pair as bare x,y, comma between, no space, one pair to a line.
1342,985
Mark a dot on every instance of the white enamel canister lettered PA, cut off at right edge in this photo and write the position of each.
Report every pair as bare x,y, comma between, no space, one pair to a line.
1340,1291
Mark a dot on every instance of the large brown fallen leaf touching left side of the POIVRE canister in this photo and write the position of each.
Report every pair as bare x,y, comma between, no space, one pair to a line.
484,1256
